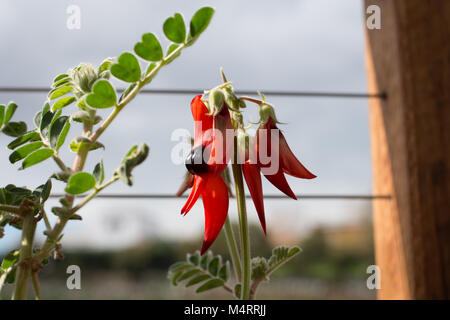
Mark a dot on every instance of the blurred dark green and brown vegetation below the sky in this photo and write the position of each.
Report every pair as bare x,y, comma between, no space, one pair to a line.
332,264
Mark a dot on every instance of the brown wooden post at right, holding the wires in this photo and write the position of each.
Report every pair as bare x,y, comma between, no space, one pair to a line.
409,60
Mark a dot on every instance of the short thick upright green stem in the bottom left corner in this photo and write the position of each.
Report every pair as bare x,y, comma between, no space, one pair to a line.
23,272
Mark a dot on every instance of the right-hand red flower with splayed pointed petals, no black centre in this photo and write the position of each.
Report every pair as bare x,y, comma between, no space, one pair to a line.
281,161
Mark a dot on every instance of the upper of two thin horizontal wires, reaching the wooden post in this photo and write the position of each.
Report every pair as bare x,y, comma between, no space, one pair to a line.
239,92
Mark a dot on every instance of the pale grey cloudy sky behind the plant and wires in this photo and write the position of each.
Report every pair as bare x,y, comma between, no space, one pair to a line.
304,45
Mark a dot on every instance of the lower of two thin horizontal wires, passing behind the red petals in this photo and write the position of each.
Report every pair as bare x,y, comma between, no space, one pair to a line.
271,196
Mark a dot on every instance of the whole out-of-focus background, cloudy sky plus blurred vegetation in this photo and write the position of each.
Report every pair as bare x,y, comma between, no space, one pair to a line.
124,246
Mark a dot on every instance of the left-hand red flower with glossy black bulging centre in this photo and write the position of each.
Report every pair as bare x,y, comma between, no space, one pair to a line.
206,161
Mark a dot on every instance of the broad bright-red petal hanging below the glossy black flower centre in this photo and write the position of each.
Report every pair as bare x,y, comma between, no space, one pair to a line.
215,202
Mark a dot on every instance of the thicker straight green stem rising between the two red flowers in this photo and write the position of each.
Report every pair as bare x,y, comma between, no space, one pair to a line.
243,225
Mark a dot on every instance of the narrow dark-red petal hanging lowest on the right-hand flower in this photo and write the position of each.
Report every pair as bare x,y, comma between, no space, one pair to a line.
253,179
